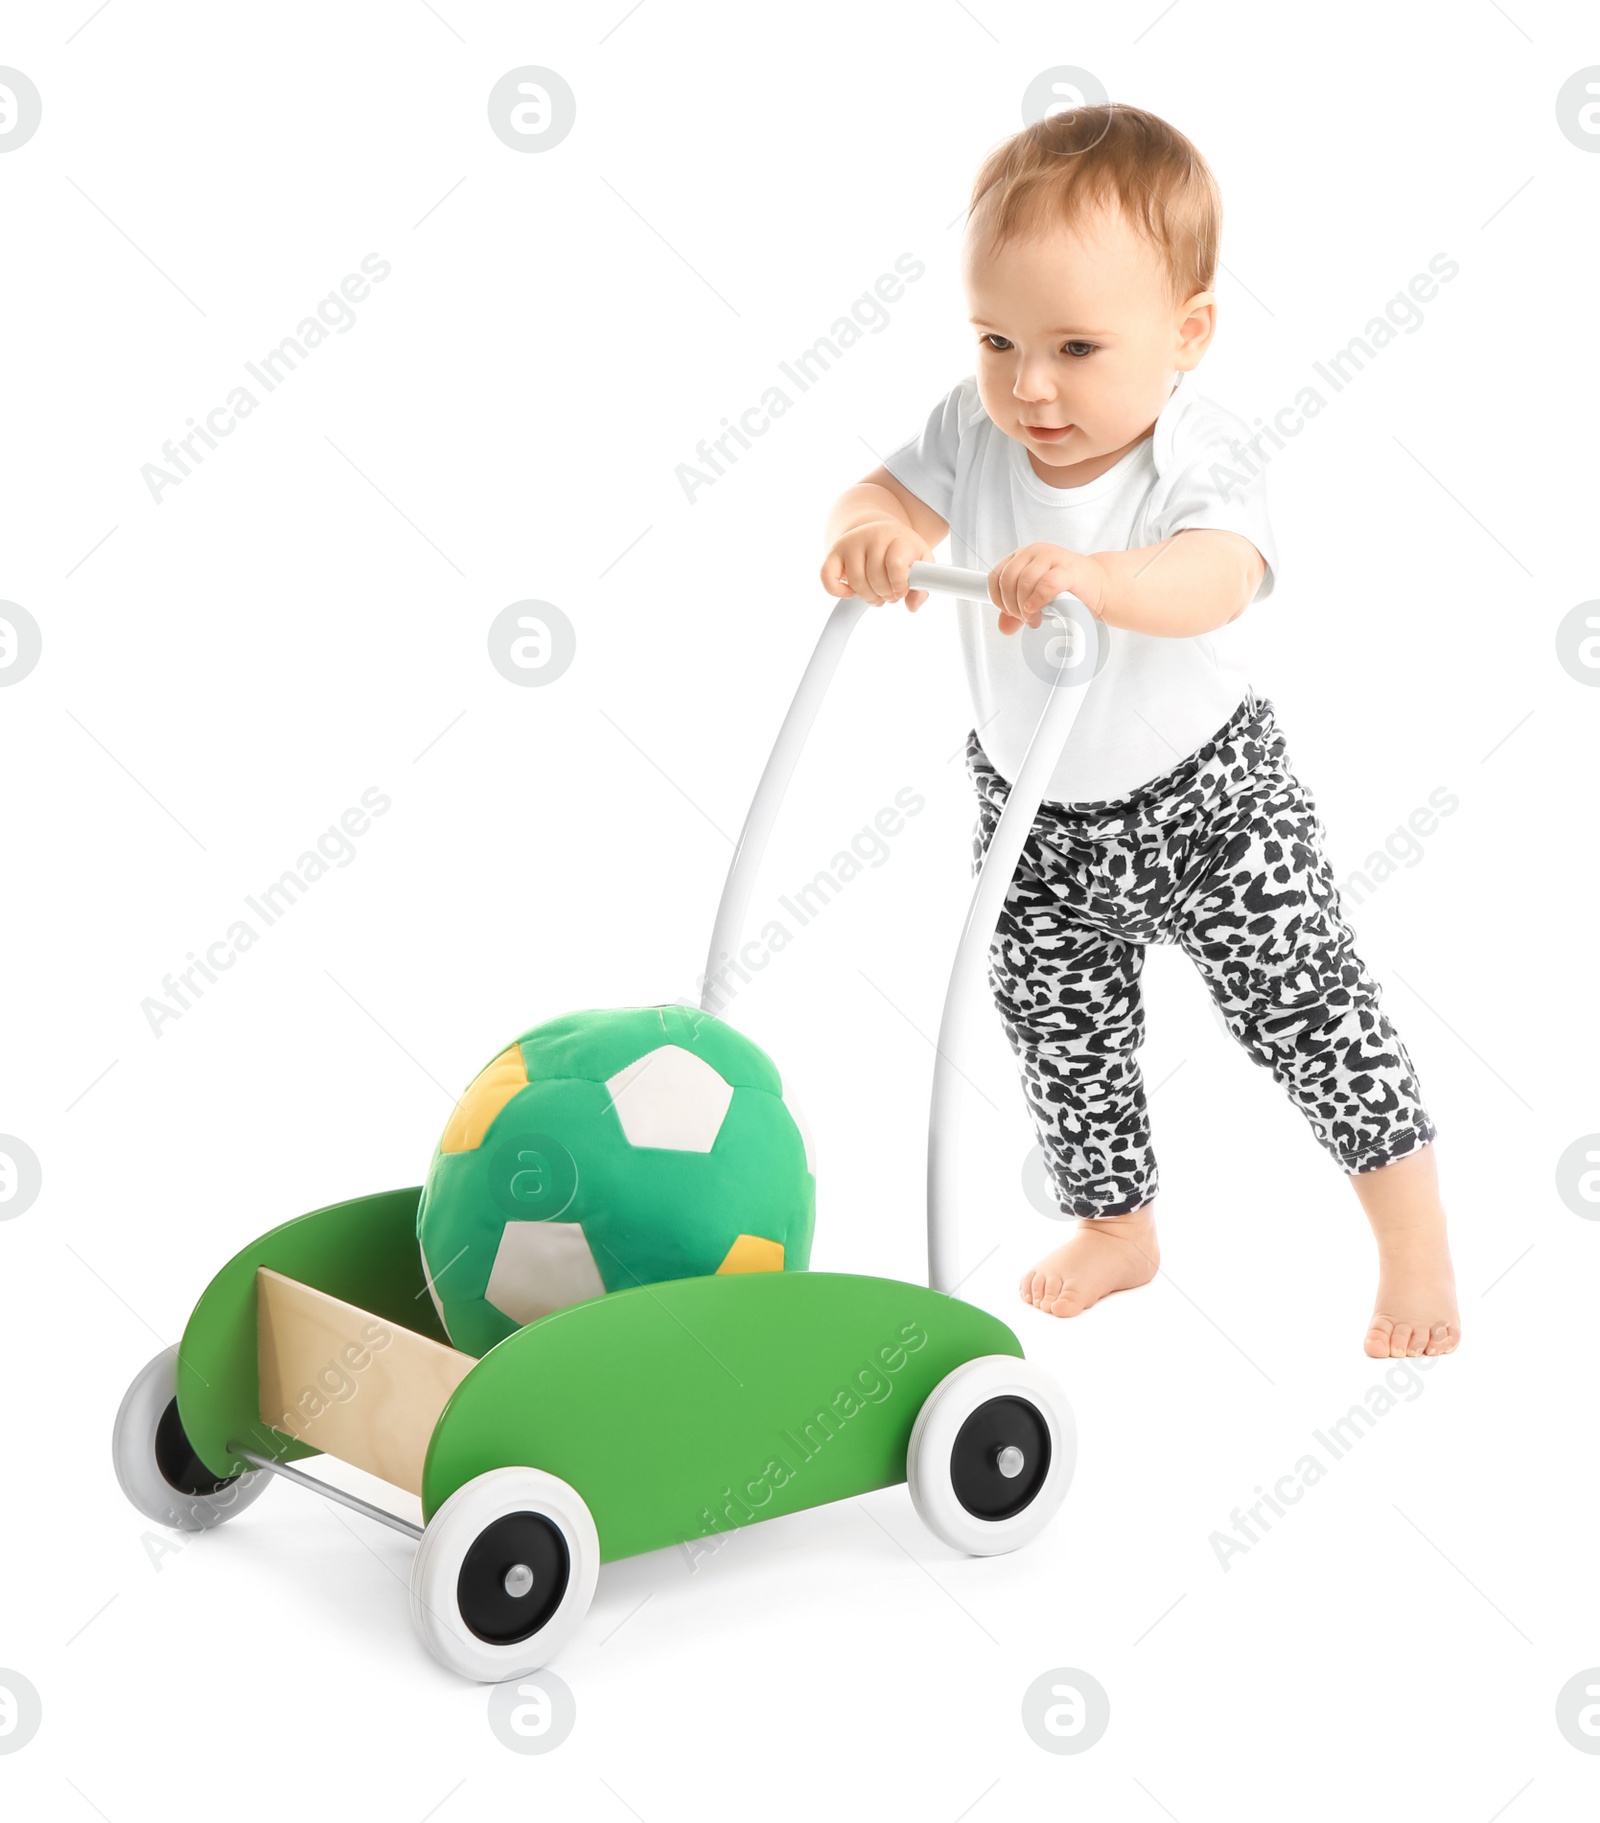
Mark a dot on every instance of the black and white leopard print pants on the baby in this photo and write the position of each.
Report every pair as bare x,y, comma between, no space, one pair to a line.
1226,858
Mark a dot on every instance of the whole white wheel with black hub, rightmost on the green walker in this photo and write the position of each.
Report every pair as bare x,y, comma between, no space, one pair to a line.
992,1456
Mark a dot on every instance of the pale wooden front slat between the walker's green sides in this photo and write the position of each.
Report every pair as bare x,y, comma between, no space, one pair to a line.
353,1385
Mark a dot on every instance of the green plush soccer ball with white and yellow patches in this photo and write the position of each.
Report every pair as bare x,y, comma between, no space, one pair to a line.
611,1149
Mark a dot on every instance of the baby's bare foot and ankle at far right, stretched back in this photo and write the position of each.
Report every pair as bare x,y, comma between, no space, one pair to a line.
1417,1284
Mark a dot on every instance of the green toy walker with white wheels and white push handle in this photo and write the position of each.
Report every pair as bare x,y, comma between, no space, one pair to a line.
686,1408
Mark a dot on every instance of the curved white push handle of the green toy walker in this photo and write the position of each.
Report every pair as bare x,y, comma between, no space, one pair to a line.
967,978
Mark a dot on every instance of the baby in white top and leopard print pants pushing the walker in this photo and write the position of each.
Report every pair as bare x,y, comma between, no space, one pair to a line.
1080,458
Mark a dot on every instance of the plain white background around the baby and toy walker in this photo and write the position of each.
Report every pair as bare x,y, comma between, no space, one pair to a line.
305,617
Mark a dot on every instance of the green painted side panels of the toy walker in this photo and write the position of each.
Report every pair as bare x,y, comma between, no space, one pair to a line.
677,1410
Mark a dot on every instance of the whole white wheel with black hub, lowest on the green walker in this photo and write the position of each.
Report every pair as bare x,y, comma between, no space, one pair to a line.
506,1574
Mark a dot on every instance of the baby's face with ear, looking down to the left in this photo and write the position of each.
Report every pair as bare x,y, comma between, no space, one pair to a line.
1078,340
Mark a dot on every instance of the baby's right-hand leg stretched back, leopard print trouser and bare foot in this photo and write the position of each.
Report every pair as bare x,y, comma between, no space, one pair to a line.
1262,922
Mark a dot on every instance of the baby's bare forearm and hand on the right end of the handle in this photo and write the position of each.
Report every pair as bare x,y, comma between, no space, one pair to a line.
1193,582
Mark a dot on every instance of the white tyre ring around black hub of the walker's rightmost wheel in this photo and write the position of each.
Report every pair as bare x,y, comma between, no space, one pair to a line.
939,1423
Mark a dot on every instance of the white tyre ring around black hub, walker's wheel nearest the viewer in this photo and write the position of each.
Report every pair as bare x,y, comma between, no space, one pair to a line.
456,1529
